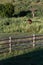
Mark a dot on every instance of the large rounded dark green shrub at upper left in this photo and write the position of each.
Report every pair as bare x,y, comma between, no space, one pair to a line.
6,10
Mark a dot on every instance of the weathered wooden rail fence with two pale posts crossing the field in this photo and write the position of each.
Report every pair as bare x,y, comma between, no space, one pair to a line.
10,44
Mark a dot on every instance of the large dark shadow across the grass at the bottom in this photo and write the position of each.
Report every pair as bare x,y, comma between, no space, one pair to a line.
32,58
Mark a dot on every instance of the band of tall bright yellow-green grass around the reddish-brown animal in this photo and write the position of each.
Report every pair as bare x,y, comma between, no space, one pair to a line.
21,25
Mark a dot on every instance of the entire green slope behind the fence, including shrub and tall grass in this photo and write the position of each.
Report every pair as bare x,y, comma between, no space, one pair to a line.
14,15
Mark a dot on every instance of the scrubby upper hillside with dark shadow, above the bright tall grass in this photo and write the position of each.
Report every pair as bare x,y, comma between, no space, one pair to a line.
23,7
